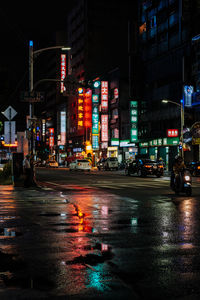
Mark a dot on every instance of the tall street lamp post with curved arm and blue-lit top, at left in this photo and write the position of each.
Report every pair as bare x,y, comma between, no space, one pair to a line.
31,87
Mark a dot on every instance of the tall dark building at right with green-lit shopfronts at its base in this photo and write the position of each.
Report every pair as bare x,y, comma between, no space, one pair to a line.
165,31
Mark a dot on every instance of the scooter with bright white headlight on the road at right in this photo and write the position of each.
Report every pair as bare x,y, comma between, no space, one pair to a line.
183,184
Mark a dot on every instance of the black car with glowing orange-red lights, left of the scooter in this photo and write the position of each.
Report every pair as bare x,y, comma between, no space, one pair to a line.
144,167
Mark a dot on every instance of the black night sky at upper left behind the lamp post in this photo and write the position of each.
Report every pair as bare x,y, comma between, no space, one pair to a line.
20,23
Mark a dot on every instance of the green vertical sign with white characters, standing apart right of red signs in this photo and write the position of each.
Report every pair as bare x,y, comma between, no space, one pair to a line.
134,121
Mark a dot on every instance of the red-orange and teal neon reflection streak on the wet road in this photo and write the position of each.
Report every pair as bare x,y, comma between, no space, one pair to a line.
91,212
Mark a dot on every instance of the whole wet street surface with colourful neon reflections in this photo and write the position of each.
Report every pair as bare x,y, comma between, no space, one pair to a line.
99,235
